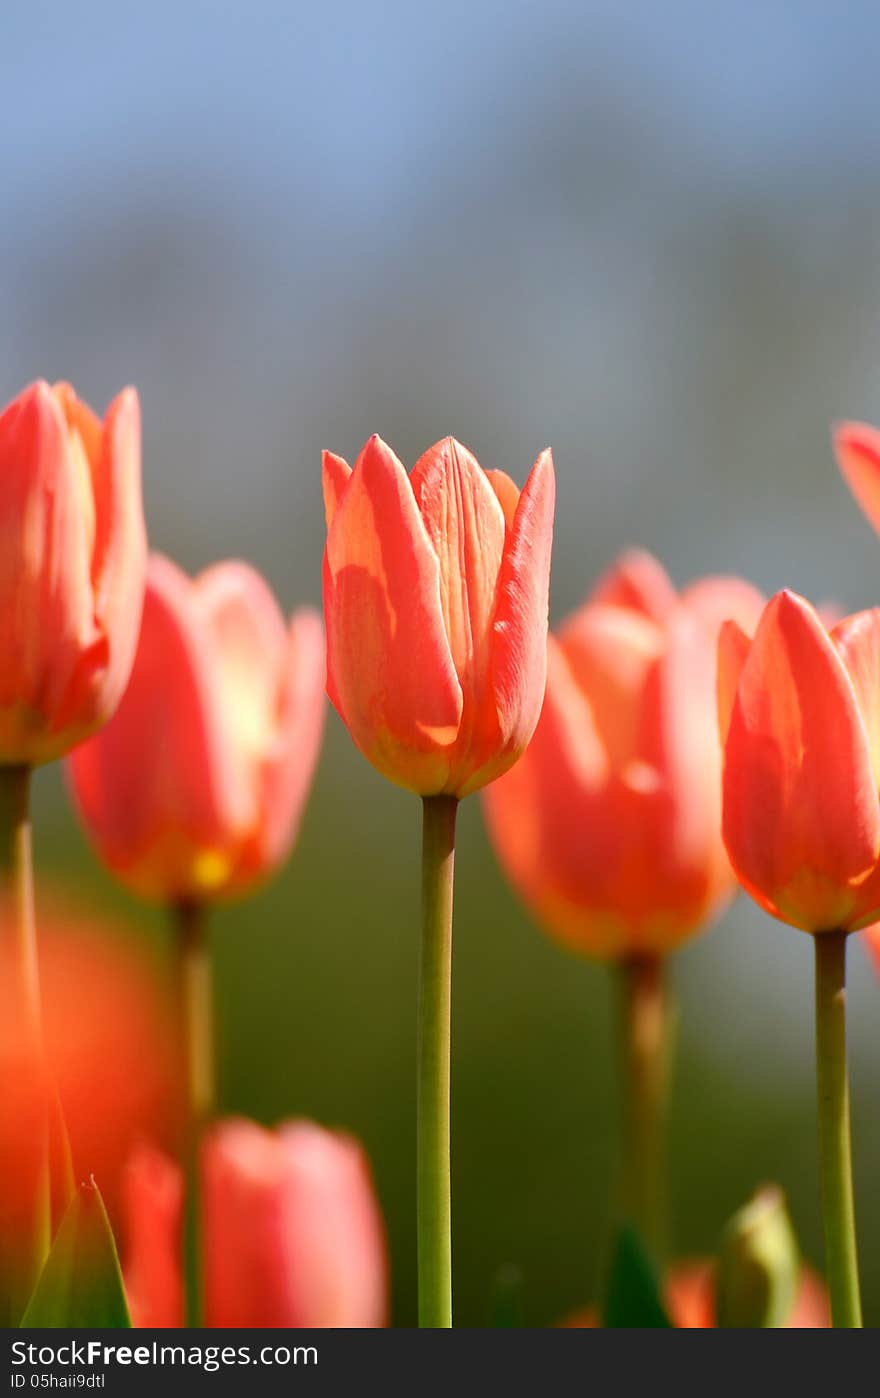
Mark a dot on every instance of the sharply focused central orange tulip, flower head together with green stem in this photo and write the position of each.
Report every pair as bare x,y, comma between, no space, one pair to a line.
436,607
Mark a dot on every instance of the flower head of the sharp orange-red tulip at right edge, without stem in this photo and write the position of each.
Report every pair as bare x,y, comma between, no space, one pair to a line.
802,764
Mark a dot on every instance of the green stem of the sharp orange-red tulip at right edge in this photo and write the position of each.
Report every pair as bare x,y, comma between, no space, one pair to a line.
835,1137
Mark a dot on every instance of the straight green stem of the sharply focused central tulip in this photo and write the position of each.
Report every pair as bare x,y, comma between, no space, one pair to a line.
434,1037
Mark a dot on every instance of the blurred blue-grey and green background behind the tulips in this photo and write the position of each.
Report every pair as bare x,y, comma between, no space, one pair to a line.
647,236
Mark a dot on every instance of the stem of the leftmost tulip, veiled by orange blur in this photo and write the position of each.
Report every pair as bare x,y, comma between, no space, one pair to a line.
23,1009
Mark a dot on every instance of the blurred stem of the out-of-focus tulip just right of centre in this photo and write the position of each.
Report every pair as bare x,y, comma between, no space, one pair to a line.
646,1062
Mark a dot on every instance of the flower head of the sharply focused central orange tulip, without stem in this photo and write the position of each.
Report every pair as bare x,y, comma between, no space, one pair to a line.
436,607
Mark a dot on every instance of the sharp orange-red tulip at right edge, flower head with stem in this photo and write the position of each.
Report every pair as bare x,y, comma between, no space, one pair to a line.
802,828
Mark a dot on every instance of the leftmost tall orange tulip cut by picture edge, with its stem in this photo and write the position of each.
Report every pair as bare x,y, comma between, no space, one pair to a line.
72,581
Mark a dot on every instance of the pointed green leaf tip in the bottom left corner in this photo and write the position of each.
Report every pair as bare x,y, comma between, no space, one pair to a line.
80,1285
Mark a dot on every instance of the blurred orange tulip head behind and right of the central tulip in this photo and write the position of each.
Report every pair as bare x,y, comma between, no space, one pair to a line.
609,826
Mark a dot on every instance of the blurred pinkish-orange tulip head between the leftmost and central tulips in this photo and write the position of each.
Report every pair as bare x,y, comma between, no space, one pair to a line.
198,785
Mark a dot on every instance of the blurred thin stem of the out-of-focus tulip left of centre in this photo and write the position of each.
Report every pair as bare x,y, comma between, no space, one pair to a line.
195,982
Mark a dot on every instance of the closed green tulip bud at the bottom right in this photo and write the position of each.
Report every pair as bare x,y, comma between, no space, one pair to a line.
759,1266
